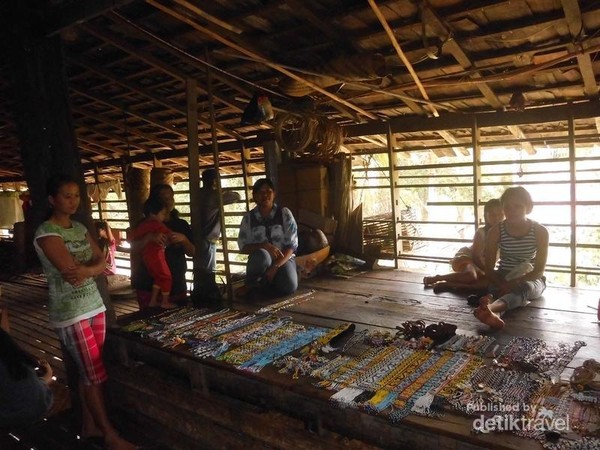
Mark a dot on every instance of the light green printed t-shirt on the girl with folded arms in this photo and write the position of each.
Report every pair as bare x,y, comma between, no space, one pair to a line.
69,304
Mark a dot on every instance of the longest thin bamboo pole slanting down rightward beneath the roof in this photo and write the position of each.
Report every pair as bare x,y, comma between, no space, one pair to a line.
256,55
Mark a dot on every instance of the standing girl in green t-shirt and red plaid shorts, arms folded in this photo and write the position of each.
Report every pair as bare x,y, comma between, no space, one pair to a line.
71,259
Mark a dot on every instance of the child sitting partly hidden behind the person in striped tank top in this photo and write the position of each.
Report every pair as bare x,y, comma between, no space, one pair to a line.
468,263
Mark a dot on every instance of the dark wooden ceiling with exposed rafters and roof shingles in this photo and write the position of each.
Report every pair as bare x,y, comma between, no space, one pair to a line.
352,61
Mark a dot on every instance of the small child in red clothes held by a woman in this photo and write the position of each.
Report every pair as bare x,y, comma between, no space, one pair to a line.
153,253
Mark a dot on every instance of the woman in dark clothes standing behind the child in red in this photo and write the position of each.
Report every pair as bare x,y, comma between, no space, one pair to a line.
178,244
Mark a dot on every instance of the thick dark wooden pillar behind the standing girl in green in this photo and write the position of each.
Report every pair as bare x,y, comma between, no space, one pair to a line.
44,124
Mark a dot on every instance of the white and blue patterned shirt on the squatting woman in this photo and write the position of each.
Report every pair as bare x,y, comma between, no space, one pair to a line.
282,235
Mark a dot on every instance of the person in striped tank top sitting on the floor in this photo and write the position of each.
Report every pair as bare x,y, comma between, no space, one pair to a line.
523,248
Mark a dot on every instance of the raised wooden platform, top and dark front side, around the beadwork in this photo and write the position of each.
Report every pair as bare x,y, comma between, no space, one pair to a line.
187,403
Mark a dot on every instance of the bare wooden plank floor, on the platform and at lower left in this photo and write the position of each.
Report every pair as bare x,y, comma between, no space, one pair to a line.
380,298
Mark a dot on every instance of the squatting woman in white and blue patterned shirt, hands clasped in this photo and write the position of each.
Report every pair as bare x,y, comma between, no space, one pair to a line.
269,234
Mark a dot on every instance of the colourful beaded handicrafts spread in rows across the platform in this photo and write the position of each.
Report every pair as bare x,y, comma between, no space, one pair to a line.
422,369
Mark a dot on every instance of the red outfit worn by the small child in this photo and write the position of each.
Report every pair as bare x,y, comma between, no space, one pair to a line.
153,254
